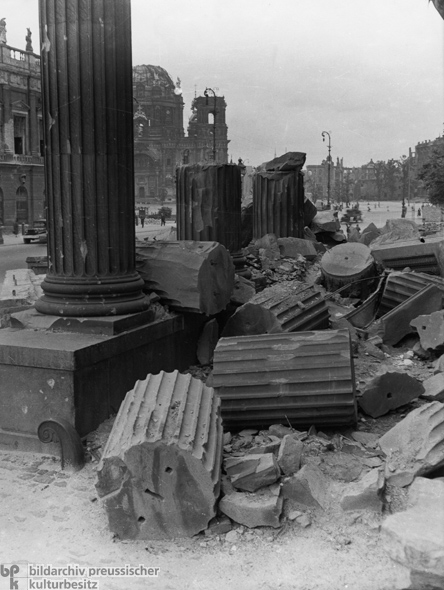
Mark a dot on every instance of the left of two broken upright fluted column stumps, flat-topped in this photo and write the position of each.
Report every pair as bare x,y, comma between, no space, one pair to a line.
209,207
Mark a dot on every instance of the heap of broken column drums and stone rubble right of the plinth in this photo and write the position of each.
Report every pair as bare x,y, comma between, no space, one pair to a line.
276,380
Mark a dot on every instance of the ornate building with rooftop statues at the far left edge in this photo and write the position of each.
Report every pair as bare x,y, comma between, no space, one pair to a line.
22,194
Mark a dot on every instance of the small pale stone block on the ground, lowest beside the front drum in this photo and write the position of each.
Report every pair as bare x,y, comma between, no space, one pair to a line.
260,509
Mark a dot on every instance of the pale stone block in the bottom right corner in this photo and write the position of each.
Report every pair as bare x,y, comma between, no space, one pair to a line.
415,537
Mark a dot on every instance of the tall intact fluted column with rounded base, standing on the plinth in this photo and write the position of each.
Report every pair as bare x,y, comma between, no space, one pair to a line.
88,129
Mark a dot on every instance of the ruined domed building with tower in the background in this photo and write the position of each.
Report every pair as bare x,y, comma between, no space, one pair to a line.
160,143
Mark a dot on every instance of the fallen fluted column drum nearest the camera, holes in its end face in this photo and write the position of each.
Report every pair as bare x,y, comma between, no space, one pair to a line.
159,475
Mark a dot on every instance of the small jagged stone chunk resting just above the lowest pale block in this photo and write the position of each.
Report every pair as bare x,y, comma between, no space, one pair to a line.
252,472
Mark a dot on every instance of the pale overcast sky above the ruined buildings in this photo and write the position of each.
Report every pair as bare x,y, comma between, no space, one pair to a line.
370,72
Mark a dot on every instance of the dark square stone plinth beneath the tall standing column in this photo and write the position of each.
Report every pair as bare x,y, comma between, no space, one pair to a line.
81,377
